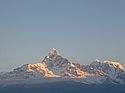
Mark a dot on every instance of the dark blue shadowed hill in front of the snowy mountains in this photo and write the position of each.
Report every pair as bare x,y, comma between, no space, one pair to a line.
62,87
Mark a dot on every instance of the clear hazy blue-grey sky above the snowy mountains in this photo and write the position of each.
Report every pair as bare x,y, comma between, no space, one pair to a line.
81,30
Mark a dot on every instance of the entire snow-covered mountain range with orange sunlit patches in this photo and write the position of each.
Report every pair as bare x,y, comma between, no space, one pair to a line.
56,66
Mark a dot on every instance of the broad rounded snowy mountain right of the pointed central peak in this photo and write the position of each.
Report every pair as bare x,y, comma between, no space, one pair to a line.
105,72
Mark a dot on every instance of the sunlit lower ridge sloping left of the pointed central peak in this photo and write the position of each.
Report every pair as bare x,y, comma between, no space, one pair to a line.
27,71
